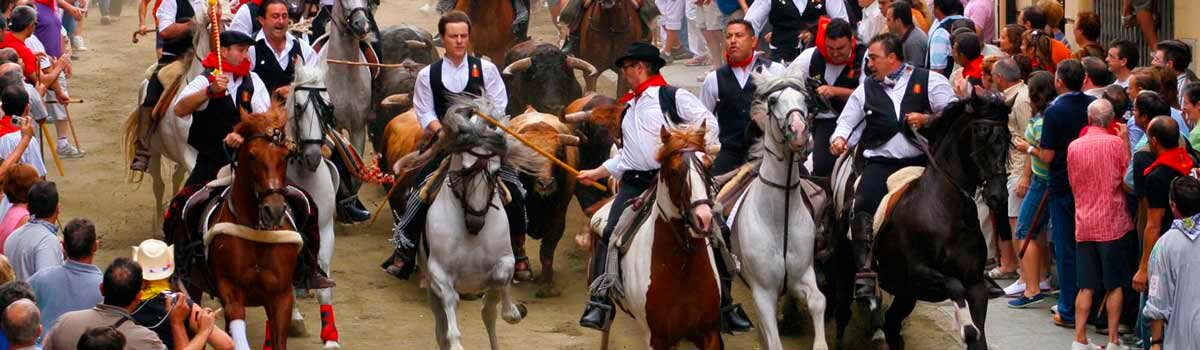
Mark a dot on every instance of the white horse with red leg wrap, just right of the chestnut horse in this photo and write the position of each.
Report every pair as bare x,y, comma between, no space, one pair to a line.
317,177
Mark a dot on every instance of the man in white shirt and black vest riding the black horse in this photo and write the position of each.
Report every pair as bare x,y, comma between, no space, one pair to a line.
881,117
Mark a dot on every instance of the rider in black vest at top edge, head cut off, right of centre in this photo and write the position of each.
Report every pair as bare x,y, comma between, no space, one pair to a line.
793,25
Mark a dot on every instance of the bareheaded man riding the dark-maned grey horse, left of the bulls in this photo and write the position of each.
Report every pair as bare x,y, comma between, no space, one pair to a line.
455,76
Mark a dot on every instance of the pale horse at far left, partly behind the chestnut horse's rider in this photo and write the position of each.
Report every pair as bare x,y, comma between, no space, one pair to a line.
170,140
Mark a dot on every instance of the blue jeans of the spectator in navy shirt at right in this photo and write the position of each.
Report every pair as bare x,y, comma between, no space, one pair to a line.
1063,232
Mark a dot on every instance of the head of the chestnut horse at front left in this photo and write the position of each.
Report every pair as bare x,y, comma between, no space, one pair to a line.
262,160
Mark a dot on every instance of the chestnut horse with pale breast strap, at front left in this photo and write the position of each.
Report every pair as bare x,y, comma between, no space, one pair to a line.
253,248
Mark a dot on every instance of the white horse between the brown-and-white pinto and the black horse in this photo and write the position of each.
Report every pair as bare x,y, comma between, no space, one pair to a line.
773,228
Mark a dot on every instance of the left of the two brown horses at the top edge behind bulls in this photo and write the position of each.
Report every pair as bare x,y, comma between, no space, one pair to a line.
491,33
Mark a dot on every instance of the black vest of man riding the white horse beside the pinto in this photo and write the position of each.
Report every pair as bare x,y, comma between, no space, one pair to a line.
734,107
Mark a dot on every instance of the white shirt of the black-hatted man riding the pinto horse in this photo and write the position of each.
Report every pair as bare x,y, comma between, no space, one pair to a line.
644,120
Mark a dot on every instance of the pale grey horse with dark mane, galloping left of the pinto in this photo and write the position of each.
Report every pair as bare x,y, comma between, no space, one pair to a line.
467,245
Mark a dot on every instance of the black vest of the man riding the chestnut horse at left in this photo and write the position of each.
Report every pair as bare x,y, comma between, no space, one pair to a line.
212,125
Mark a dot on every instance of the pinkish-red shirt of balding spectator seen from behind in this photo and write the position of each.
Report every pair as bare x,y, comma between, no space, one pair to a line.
1096,164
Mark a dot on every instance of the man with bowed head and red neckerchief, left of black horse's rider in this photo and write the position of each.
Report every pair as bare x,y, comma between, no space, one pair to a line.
836,67
